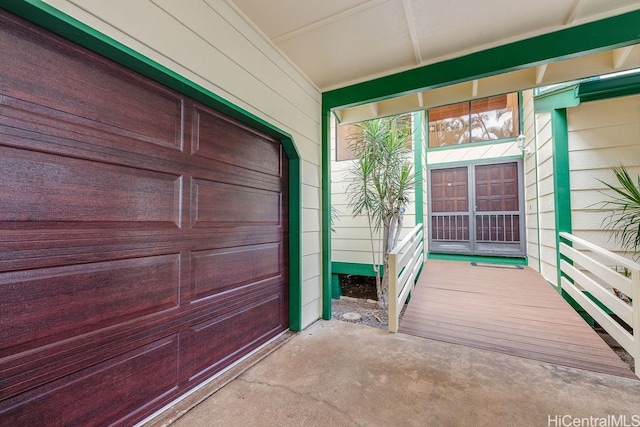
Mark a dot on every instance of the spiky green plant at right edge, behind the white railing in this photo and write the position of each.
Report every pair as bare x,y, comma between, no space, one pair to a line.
624,221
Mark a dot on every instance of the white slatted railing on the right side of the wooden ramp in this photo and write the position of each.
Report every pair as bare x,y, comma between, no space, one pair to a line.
600,280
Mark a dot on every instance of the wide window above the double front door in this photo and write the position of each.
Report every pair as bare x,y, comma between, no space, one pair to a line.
479,120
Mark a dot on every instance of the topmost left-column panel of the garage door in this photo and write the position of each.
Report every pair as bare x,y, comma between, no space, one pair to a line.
85,87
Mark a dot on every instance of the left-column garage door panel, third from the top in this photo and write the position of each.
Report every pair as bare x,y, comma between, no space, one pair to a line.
94,296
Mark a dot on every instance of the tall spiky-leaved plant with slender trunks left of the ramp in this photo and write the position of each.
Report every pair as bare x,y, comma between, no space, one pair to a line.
382,179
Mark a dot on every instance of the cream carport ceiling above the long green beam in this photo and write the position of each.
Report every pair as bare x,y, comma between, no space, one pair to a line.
341,42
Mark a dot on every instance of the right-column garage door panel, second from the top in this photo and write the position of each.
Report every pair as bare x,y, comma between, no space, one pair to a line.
216,204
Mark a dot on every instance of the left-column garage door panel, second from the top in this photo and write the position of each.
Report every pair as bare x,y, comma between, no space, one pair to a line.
63,189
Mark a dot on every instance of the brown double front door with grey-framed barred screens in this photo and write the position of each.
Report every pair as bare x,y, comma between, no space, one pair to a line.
477,210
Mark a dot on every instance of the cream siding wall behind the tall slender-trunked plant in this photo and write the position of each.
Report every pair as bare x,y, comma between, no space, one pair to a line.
350,240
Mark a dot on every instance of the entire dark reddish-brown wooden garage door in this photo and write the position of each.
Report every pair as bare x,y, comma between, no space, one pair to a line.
142,237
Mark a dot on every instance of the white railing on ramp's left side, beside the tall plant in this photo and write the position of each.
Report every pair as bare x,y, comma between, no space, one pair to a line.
405,262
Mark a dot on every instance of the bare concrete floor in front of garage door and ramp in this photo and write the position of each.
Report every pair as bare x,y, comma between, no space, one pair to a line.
342,374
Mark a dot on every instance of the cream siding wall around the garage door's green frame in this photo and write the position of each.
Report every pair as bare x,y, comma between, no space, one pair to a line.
210,44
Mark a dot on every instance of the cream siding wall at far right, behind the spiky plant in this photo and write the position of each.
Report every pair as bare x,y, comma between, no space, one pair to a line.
602,134
